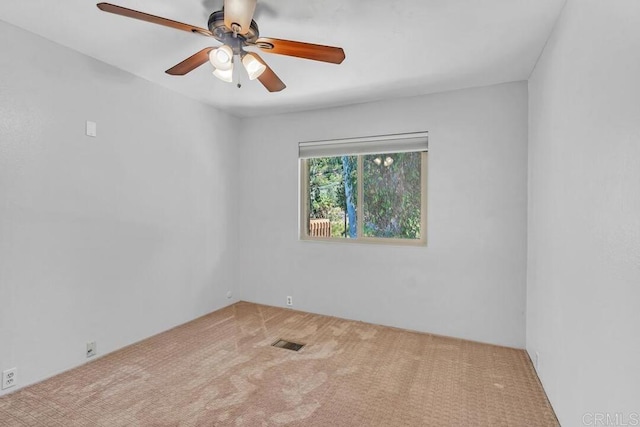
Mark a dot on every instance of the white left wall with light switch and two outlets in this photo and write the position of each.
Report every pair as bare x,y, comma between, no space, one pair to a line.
113,238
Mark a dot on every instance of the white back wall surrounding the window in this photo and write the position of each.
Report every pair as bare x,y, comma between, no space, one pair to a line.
468,282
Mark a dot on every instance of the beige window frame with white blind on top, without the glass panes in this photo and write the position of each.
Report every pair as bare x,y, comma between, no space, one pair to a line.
398,143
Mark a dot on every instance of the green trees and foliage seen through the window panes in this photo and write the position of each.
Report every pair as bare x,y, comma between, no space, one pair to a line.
391,199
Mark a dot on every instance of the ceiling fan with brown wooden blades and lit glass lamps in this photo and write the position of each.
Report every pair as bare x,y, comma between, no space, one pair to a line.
234,27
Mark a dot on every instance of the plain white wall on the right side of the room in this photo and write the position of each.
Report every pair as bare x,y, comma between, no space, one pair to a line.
583,290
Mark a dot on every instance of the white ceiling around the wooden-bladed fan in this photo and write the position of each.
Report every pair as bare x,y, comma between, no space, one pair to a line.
393,47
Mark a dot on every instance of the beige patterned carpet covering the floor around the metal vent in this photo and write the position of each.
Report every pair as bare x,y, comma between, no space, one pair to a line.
221,370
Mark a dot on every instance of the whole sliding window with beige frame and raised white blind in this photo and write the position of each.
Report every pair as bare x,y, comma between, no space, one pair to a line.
365,189
